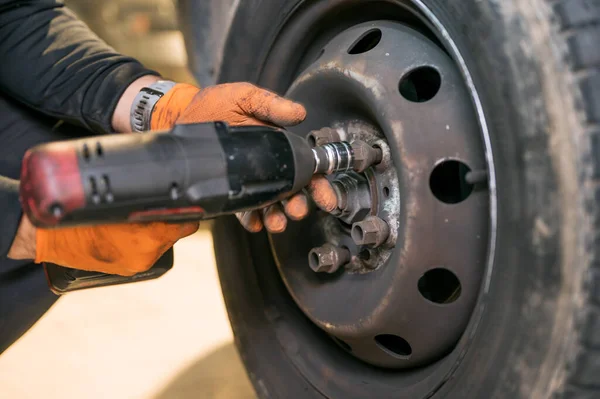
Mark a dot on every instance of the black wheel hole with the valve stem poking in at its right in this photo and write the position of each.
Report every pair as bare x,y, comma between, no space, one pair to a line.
447,182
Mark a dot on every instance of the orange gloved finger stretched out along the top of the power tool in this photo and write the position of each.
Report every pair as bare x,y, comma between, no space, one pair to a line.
269,107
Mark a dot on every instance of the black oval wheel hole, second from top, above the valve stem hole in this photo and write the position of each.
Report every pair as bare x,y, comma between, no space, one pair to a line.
420,84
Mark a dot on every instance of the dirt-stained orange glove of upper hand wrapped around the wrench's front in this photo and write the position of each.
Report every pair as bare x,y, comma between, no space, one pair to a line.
244,104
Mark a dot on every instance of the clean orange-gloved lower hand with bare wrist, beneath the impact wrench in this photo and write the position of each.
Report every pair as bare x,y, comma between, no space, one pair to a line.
114,249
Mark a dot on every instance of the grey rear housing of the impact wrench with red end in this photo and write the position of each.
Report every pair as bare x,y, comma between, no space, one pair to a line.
125,178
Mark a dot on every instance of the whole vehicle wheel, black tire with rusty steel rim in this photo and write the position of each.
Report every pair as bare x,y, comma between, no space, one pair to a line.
488,284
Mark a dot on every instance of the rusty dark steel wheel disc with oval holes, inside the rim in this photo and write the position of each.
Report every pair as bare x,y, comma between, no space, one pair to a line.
406,302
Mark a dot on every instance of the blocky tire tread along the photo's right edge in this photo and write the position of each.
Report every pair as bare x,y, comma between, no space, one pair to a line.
579,23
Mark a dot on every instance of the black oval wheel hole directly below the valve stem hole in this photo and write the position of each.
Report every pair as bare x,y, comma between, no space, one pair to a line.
440,286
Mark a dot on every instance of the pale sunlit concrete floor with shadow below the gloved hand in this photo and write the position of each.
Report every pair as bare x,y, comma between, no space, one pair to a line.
164,339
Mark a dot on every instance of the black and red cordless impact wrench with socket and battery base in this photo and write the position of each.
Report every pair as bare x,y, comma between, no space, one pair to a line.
191,172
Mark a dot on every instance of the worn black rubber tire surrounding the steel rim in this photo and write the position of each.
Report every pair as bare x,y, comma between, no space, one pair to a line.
536,65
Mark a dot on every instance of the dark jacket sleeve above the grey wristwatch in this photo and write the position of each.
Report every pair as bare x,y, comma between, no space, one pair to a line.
52,62
